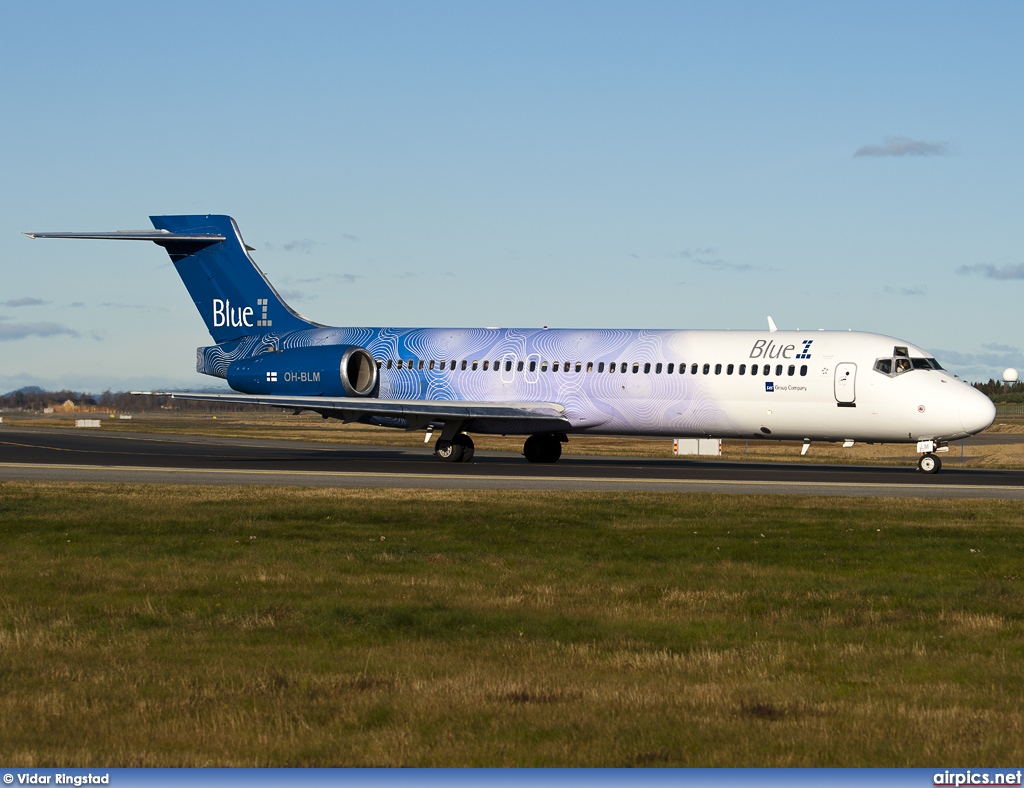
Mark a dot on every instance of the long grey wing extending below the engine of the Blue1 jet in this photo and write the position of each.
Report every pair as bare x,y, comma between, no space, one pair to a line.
516,418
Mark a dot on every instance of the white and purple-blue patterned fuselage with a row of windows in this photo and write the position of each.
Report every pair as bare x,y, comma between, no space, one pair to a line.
807,385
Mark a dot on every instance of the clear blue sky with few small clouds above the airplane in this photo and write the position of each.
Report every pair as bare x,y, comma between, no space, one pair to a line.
646,165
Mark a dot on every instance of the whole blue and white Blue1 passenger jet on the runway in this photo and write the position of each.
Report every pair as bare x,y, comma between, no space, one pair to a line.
548,384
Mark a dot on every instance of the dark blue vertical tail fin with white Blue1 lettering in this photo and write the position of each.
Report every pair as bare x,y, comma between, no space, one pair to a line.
229,289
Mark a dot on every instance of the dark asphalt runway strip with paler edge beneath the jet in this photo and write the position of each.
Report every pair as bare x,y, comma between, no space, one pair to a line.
42,455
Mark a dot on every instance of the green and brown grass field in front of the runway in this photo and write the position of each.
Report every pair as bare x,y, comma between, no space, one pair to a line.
153,626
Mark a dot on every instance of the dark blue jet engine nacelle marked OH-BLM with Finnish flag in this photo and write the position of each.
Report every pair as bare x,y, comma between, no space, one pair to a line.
329,371
